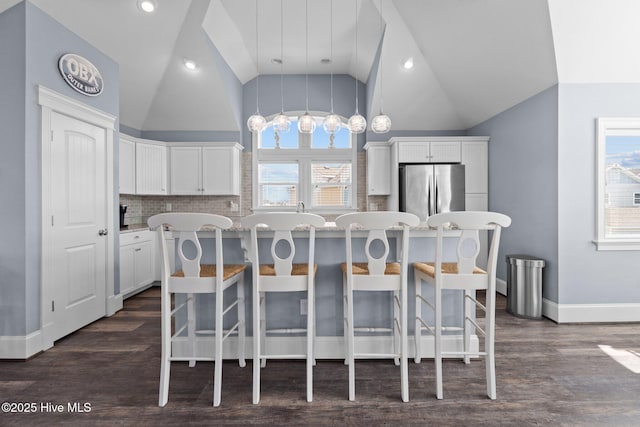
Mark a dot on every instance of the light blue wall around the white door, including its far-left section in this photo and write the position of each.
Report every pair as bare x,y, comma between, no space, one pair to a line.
39,42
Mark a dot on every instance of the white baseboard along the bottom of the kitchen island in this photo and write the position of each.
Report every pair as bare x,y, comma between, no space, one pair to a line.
325,348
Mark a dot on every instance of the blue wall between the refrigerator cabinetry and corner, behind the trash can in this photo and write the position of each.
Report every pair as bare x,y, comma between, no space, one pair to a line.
523,181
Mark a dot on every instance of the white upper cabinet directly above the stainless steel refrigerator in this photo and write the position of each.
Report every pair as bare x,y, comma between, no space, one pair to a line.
424,150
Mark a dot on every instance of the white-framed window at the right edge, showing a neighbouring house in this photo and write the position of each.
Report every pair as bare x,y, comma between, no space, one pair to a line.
618,184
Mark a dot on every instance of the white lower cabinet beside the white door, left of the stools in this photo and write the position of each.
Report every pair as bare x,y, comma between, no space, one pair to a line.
137,261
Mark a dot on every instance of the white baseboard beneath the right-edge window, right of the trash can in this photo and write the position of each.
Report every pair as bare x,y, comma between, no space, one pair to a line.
590,313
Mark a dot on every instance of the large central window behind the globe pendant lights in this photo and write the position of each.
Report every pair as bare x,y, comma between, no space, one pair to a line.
318,170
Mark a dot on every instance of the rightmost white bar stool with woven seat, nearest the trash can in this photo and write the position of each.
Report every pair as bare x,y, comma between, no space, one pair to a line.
464,275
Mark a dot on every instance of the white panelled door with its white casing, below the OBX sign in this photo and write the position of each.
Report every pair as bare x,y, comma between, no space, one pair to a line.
77,207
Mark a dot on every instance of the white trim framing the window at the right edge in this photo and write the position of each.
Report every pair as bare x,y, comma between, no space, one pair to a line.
610,126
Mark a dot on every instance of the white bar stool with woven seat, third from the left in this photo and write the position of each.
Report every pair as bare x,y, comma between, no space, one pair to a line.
377,275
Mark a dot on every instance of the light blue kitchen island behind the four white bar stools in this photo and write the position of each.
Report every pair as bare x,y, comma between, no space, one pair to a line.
286,310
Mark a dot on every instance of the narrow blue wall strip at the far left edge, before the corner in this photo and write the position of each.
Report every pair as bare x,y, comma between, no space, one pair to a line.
12,174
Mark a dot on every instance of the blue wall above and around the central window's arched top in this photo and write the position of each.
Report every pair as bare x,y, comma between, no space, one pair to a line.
344,95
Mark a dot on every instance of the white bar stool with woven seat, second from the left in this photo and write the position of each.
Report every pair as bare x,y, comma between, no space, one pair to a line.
281,276
